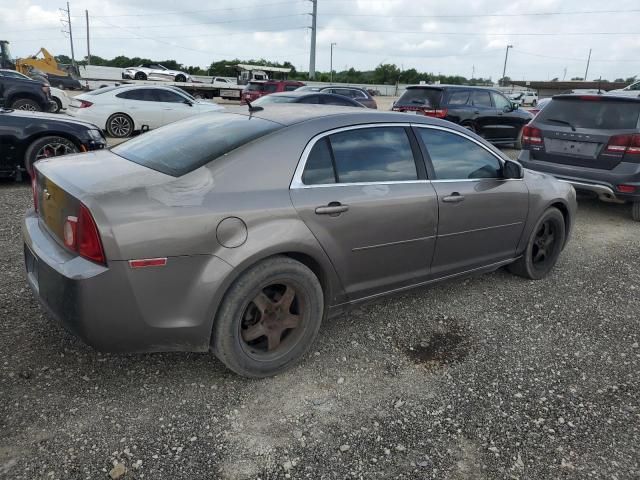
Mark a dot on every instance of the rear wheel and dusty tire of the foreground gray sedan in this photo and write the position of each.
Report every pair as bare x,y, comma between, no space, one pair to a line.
238,339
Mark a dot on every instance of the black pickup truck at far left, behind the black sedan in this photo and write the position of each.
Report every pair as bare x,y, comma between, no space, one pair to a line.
24,94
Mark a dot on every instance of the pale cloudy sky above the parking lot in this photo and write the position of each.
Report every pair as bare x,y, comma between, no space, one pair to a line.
452,36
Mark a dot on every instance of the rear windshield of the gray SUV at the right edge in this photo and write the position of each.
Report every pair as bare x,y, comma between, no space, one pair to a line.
595,114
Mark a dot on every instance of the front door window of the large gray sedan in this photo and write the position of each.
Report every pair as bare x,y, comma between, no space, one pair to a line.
456,158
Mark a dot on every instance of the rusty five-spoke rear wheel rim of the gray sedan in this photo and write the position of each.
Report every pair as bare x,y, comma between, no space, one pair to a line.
272,321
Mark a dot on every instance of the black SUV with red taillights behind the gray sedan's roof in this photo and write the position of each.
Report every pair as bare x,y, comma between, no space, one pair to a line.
484,111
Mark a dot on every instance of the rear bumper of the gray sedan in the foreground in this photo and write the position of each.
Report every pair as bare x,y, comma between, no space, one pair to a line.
118,309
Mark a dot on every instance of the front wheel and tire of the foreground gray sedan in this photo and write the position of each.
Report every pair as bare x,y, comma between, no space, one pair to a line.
542,252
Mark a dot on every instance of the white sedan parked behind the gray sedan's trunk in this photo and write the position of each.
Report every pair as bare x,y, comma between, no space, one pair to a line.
125,109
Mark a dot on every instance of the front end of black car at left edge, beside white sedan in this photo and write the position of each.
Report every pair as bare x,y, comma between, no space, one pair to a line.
26,137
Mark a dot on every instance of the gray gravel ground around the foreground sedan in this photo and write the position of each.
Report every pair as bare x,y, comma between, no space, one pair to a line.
488,377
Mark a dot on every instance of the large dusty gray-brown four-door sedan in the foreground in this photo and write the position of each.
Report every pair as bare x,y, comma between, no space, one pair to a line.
240,233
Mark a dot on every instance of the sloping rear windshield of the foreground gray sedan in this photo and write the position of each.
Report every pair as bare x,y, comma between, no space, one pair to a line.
184,146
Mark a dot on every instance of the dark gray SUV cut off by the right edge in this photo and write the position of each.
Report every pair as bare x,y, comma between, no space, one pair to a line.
590,141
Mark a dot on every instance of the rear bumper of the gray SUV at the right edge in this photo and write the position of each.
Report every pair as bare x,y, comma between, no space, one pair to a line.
603,183
